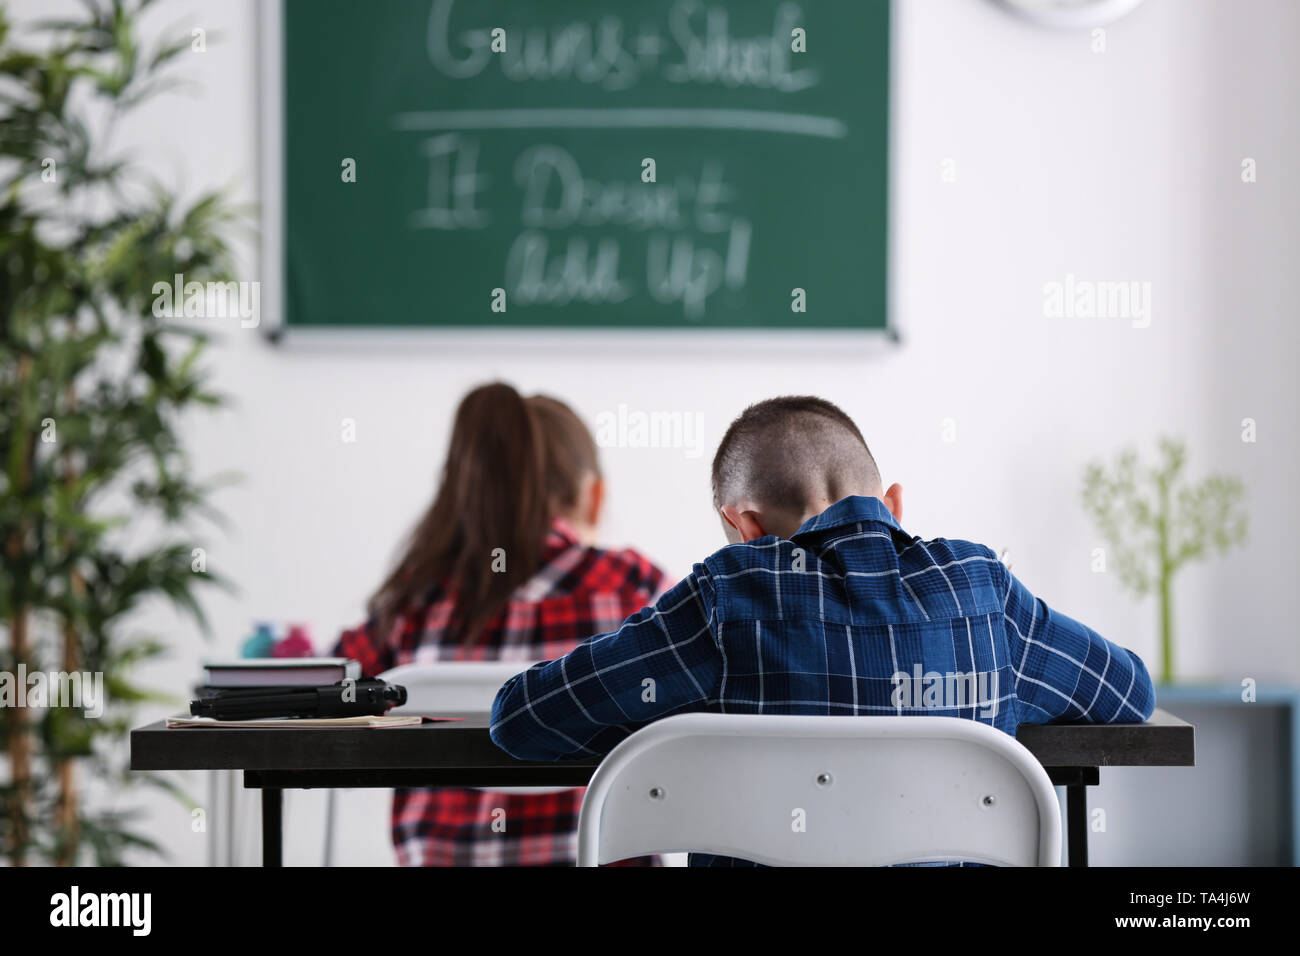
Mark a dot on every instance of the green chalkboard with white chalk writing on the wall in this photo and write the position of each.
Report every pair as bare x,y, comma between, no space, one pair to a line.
505,146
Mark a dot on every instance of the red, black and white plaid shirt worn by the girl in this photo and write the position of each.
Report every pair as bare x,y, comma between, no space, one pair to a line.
577,594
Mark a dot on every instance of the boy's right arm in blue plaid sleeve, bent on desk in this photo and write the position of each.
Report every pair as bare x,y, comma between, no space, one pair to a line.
1067,672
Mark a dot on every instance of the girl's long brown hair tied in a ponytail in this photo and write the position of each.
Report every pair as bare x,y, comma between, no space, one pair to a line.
513,466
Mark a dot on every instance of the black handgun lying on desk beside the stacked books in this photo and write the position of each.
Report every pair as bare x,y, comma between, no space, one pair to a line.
369,698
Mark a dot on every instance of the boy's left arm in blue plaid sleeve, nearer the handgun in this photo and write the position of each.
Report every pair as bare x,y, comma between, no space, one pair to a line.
664,659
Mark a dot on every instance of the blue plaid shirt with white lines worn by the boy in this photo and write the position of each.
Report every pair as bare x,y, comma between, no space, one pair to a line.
851,616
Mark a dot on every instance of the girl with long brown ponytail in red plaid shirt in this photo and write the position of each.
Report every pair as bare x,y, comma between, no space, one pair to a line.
522,485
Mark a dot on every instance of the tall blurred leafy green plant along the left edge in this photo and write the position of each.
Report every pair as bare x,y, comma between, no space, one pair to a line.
98,508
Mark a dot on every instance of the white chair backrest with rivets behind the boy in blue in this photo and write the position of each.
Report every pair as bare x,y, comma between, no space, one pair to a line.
807,791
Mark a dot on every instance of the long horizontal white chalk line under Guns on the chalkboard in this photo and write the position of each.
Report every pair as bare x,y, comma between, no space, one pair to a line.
756,120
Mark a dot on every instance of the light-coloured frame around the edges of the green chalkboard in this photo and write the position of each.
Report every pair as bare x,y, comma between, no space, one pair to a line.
272,258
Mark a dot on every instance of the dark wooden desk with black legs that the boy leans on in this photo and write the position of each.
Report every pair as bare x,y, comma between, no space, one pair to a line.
462,755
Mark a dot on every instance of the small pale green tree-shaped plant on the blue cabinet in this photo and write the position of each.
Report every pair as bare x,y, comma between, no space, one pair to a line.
1155,522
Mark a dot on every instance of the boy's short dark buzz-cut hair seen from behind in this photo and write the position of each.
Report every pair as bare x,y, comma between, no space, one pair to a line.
788,452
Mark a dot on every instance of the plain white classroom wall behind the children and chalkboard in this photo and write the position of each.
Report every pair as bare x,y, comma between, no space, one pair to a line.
1123,166
